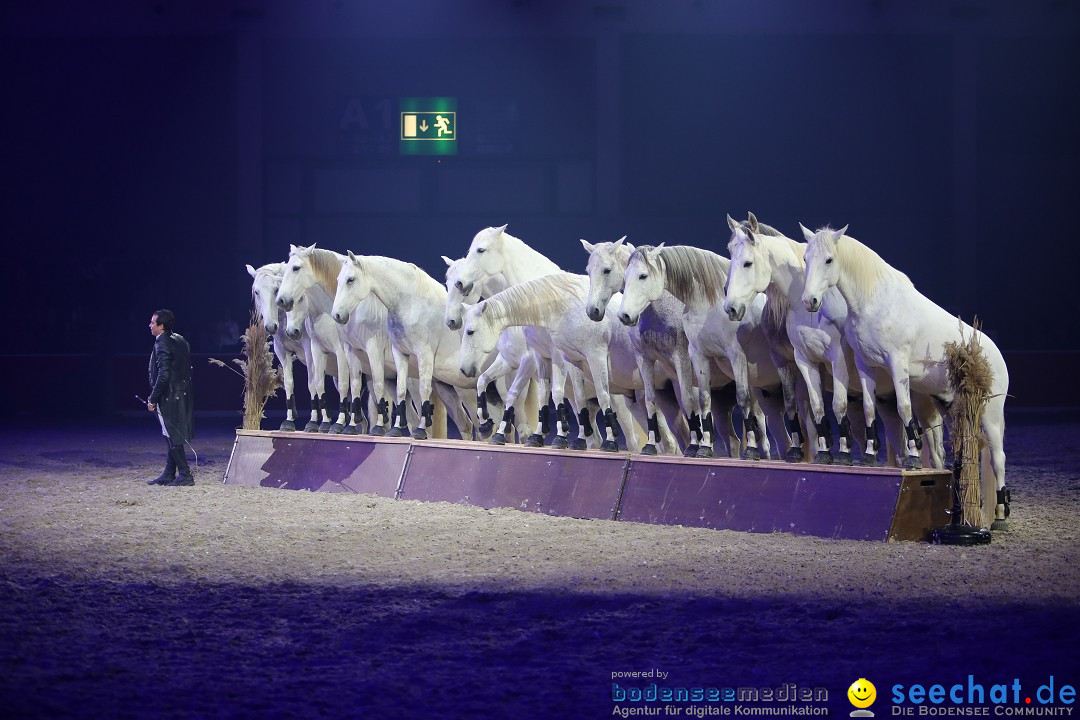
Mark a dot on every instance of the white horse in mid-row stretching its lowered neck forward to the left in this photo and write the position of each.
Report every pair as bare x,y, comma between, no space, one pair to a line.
557,304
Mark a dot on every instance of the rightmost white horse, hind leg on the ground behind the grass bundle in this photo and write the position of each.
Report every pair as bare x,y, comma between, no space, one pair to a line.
894,327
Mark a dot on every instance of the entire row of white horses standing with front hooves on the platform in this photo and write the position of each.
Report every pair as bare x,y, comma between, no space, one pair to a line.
650,338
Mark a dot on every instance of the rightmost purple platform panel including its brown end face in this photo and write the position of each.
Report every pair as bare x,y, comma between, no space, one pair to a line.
774,497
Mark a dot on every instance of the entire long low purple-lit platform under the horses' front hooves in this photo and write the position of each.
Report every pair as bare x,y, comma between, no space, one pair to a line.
827,501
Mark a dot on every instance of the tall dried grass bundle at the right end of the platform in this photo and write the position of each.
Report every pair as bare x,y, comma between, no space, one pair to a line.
970,375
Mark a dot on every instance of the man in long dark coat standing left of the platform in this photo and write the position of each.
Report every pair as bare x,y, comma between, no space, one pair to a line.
171,397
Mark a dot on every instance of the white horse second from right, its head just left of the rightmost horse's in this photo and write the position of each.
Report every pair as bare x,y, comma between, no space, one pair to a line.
765,261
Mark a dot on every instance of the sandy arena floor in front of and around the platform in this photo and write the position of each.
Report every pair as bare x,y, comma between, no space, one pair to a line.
123,601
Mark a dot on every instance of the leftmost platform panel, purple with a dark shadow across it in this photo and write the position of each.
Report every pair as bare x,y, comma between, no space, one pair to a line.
327,464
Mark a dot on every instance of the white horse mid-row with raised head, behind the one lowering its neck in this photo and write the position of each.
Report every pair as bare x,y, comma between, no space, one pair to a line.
502,261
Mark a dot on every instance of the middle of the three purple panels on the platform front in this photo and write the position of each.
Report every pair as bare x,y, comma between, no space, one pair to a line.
584,485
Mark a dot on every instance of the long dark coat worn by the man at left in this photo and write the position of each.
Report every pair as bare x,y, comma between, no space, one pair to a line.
171,384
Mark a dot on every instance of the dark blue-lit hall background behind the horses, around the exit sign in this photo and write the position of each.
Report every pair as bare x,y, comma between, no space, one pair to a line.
151,150
